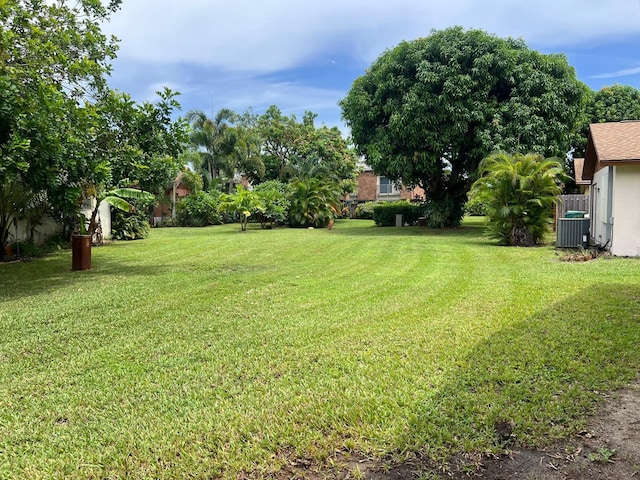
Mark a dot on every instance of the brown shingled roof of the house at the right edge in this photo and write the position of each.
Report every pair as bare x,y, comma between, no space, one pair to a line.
614,143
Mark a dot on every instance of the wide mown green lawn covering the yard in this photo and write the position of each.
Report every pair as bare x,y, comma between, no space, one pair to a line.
205,353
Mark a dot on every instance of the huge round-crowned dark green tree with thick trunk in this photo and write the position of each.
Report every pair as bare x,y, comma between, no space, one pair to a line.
428,111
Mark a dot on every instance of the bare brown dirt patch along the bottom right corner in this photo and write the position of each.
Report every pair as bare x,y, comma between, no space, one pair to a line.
608,449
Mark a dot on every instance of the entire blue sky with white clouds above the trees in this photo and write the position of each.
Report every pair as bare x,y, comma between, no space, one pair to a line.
304,55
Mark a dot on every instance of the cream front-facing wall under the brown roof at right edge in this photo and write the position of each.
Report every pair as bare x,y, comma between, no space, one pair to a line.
626,214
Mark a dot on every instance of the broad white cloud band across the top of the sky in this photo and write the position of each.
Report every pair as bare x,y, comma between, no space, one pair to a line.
272,35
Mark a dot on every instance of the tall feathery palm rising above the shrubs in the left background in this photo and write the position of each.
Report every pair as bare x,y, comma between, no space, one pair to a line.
215,136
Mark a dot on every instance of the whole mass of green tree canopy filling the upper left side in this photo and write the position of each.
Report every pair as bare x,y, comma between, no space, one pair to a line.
63,132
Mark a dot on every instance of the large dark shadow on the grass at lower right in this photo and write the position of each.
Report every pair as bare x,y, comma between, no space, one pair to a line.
534,382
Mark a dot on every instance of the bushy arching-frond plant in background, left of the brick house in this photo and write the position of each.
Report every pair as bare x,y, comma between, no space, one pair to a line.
313,202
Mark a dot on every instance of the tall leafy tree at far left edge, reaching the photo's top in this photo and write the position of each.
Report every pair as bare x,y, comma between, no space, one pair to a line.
53,58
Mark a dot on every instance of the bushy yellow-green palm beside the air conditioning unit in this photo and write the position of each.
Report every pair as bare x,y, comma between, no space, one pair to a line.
519,192
